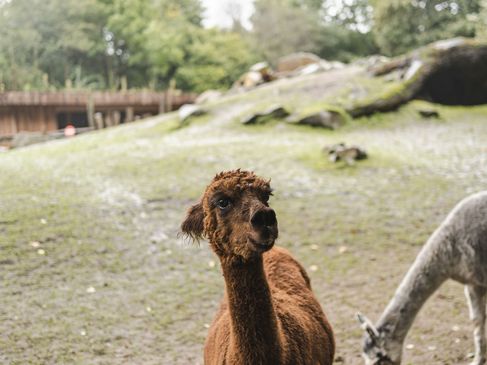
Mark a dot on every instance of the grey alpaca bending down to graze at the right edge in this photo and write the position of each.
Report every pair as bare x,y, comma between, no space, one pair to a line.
457,250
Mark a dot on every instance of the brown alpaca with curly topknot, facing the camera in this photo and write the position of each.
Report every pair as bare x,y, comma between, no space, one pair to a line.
269,314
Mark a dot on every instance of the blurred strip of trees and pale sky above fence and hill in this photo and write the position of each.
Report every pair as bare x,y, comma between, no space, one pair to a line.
200,45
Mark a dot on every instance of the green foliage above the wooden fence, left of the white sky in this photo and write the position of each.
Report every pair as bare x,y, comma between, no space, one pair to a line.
101,44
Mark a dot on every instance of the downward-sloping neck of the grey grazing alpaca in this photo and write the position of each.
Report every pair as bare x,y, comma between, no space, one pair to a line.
428,272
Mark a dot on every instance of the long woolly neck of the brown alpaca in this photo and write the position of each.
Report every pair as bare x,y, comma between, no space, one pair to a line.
254,326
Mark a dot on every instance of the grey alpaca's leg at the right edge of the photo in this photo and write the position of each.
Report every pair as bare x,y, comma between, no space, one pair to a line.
476,302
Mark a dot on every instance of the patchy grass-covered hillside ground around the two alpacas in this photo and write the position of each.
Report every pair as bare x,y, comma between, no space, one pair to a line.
92,270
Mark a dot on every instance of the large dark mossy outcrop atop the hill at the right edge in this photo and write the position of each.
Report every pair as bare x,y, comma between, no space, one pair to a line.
452,72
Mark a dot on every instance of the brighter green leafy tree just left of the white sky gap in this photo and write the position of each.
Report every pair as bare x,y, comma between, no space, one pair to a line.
163,40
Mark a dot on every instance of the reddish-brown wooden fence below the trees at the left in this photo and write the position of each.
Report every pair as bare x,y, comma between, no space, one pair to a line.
48,111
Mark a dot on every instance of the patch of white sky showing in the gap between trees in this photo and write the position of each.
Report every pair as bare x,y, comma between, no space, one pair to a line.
219,12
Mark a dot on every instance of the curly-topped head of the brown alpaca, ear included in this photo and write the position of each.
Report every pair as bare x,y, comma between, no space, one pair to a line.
235,216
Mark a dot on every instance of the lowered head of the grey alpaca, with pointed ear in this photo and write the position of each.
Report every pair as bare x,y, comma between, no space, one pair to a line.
378,348
